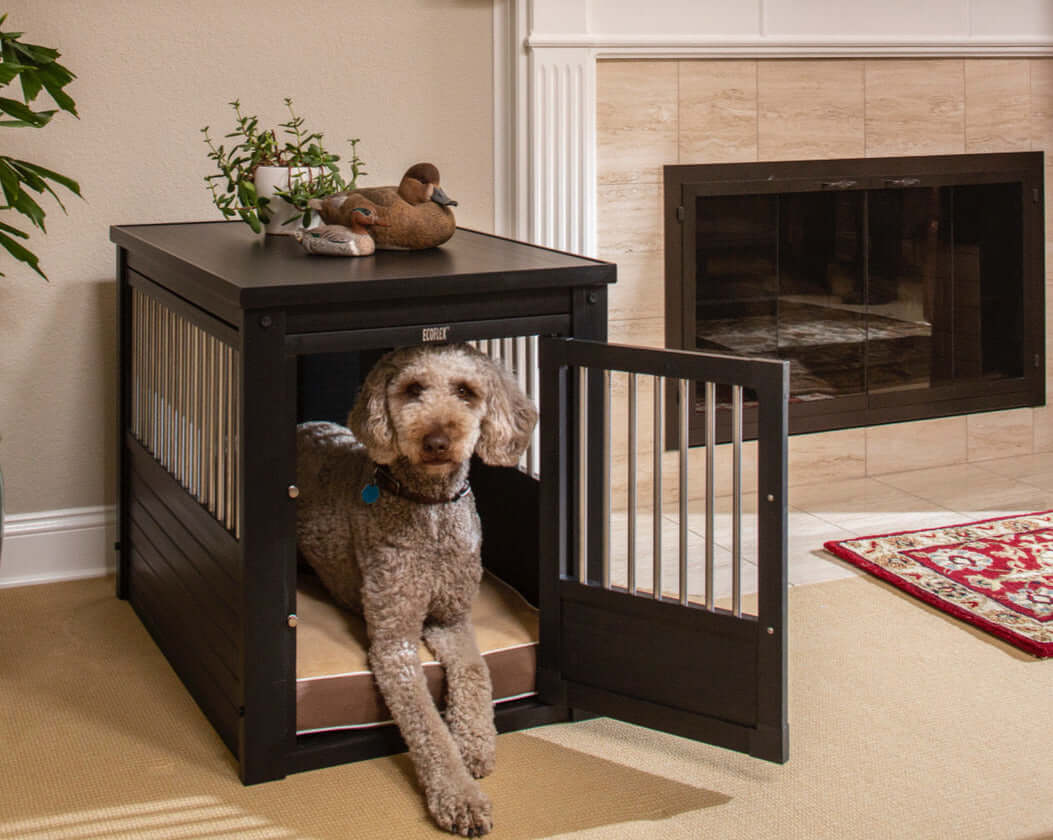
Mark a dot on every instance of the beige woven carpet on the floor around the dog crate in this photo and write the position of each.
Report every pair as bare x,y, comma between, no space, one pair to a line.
904,725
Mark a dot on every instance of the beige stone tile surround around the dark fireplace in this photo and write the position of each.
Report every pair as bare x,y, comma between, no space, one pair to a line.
650,113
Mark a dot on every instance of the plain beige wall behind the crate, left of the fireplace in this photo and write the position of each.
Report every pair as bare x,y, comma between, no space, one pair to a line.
412,79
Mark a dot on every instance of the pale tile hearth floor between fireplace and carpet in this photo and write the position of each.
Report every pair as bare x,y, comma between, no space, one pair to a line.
831,511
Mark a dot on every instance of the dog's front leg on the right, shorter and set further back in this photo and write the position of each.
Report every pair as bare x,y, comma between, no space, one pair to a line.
470,710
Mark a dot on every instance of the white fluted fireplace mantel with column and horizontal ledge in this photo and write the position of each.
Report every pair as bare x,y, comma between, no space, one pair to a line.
545,73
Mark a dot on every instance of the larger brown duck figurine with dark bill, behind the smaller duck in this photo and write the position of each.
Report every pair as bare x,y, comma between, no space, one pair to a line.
414,215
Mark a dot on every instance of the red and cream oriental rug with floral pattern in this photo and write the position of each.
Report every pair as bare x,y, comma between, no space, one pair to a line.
997,574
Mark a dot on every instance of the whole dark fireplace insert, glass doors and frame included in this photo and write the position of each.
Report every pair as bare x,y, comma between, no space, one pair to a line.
899,289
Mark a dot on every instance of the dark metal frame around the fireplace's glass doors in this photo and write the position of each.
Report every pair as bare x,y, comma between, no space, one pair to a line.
684,184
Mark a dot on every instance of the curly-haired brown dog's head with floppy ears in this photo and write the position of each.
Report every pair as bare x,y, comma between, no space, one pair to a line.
438,405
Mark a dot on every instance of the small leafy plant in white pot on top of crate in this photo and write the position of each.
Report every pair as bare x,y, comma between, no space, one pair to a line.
267,183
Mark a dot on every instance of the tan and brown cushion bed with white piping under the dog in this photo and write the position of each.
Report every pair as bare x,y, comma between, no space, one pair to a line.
335,688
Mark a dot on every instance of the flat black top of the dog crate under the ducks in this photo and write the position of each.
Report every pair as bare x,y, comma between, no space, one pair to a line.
244,270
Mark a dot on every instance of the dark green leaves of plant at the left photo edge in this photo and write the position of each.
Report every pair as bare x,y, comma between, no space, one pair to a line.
38,70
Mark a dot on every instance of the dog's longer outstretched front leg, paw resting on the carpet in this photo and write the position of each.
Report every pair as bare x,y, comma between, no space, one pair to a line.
454,798
